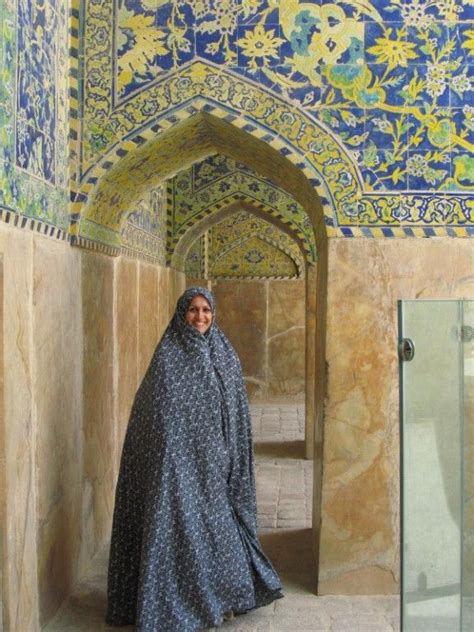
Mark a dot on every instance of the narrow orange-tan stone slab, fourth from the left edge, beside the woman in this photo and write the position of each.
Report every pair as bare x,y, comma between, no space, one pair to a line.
126,327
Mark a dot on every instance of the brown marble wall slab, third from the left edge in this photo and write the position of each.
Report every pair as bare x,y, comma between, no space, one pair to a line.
99,423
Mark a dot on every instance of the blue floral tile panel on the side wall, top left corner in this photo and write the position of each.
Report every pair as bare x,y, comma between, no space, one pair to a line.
34,51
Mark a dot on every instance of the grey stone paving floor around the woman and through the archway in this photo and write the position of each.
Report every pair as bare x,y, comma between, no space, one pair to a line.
284,481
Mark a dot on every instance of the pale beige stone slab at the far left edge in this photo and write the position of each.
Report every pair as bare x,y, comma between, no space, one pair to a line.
20,591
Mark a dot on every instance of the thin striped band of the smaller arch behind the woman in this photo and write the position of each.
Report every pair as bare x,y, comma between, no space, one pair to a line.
179,250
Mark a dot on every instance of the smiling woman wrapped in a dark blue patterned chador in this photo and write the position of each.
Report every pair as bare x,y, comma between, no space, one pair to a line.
184,547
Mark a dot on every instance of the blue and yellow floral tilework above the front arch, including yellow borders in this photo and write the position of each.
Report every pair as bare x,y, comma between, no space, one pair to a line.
388,81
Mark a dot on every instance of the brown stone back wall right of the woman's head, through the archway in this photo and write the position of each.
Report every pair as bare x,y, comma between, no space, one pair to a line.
265,321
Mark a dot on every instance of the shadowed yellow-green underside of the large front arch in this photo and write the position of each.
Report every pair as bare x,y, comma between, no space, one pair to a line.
186,143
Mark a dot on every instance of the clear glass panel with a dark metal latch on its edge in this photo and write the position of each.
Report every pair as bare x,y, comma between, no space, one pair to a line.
431,387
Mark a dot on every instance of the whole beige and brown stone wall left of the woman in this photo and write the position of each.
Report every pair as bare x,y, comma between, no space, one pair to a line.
79,330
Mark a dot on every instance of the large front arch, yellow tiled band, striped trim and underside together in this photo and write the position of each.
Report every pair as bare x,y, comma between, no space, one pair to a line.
203,110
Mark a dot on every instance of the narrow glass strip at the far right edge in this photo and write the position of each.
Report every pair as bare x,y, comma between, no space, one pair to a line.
467,612
